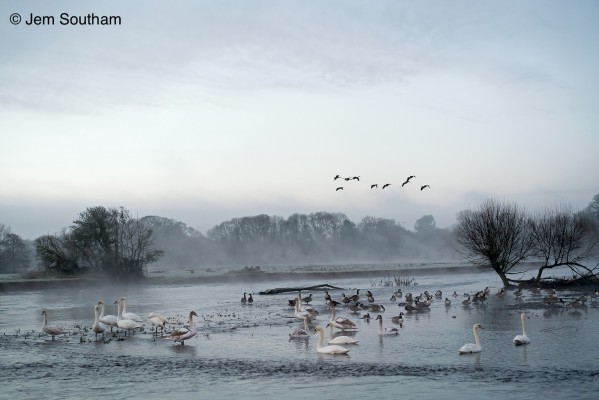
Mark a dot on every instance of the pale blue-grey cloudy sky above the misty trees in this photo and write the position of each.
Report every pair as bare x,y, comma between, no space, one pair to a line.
204,111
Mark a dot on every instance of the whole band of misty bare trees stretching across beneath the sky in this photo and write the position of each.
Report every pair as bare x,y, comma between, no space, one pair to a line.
498,235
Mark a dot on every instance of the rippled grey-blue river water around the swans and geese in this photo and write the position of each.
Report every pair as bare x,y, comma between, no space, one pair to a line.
244,351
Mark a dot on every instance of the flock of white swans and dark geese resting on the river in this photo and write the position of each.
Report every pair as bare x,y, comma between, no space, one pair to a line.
127,321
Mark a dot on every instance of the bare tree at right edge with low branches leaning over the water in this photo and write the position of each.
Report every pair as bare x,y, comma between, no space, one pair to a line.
561,239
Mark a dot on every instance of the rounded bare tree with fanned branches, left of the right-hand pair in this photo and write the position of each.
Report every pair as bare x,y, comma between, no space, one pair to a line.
497,234
